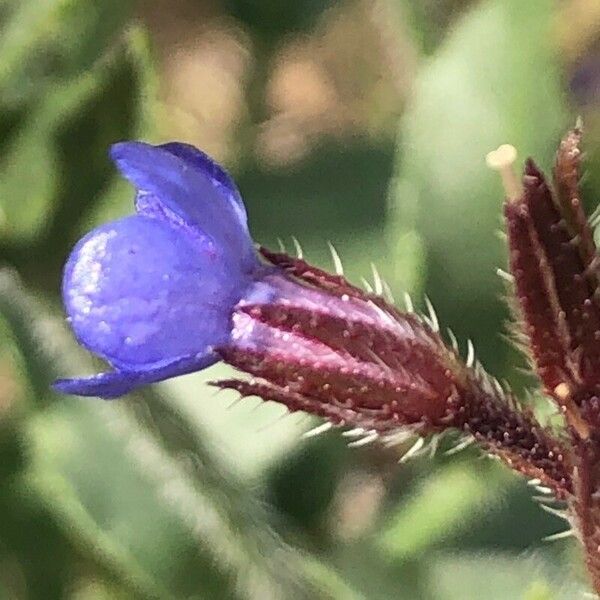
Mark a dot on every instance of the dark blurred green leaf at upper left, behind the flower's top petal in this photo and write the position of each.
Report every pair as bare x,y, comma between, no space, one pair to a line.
55,167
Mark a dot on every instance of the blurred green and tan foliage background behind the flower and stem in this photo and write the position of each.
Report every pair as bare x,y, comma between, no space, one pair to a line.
362,122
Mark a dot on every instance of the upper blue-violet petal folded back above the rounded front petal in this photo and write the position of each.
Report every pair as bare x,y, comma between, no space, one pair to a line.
169,186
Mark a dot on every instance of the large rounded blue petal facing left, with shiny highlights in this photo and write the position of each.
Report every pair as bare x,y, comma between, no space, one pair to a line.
141,292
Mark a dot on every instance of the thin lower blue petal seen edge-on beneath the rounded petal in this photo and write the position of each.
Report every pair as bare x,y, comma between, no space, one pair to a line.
119,383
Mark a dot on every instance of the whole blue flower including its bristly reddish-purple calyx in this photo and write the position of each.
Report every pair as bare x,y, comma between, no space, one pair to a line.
179,286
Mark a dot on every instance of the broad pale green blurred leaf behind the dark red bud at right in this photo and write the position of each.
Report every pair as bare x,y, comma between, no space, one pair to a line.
494,80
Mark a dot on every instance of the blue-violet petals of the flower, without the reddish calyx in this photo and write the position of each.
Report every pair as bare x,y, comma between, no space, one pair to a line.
153,293
